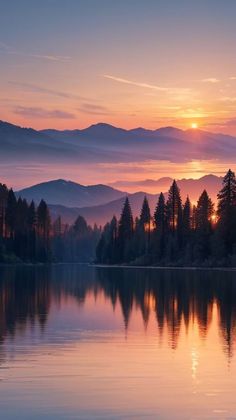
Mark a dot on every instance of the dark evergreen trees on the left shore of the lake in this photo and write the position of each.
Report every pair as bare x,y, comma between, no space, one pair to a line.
28,234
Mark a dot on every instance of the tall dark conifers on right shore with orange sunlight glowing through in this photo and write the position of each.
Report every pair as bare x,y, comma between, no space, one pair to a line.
177,234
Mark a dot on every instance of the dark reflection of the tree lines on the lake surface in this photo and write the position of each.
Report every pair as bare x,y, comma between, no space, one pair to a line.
177,297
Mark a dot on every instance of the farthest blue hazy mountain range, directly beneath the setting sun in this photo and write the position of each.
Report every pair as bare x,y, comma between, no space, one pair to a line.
104,143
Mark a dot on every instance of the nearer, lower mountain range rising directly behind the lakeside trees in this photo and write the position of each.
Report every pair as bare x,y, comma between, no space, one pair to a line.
98,203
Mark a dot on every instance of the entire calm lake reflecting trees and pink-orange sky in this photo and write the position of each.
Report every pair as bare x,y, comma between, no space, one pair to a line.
80,342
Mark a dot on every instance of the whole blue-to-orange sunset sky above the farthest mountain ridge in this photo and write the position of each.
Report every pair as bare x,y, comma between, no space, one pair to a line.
69,64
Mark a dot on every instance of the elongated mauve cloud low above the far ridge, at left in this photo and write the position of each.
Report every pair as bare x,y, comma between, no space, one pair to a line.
36,112
